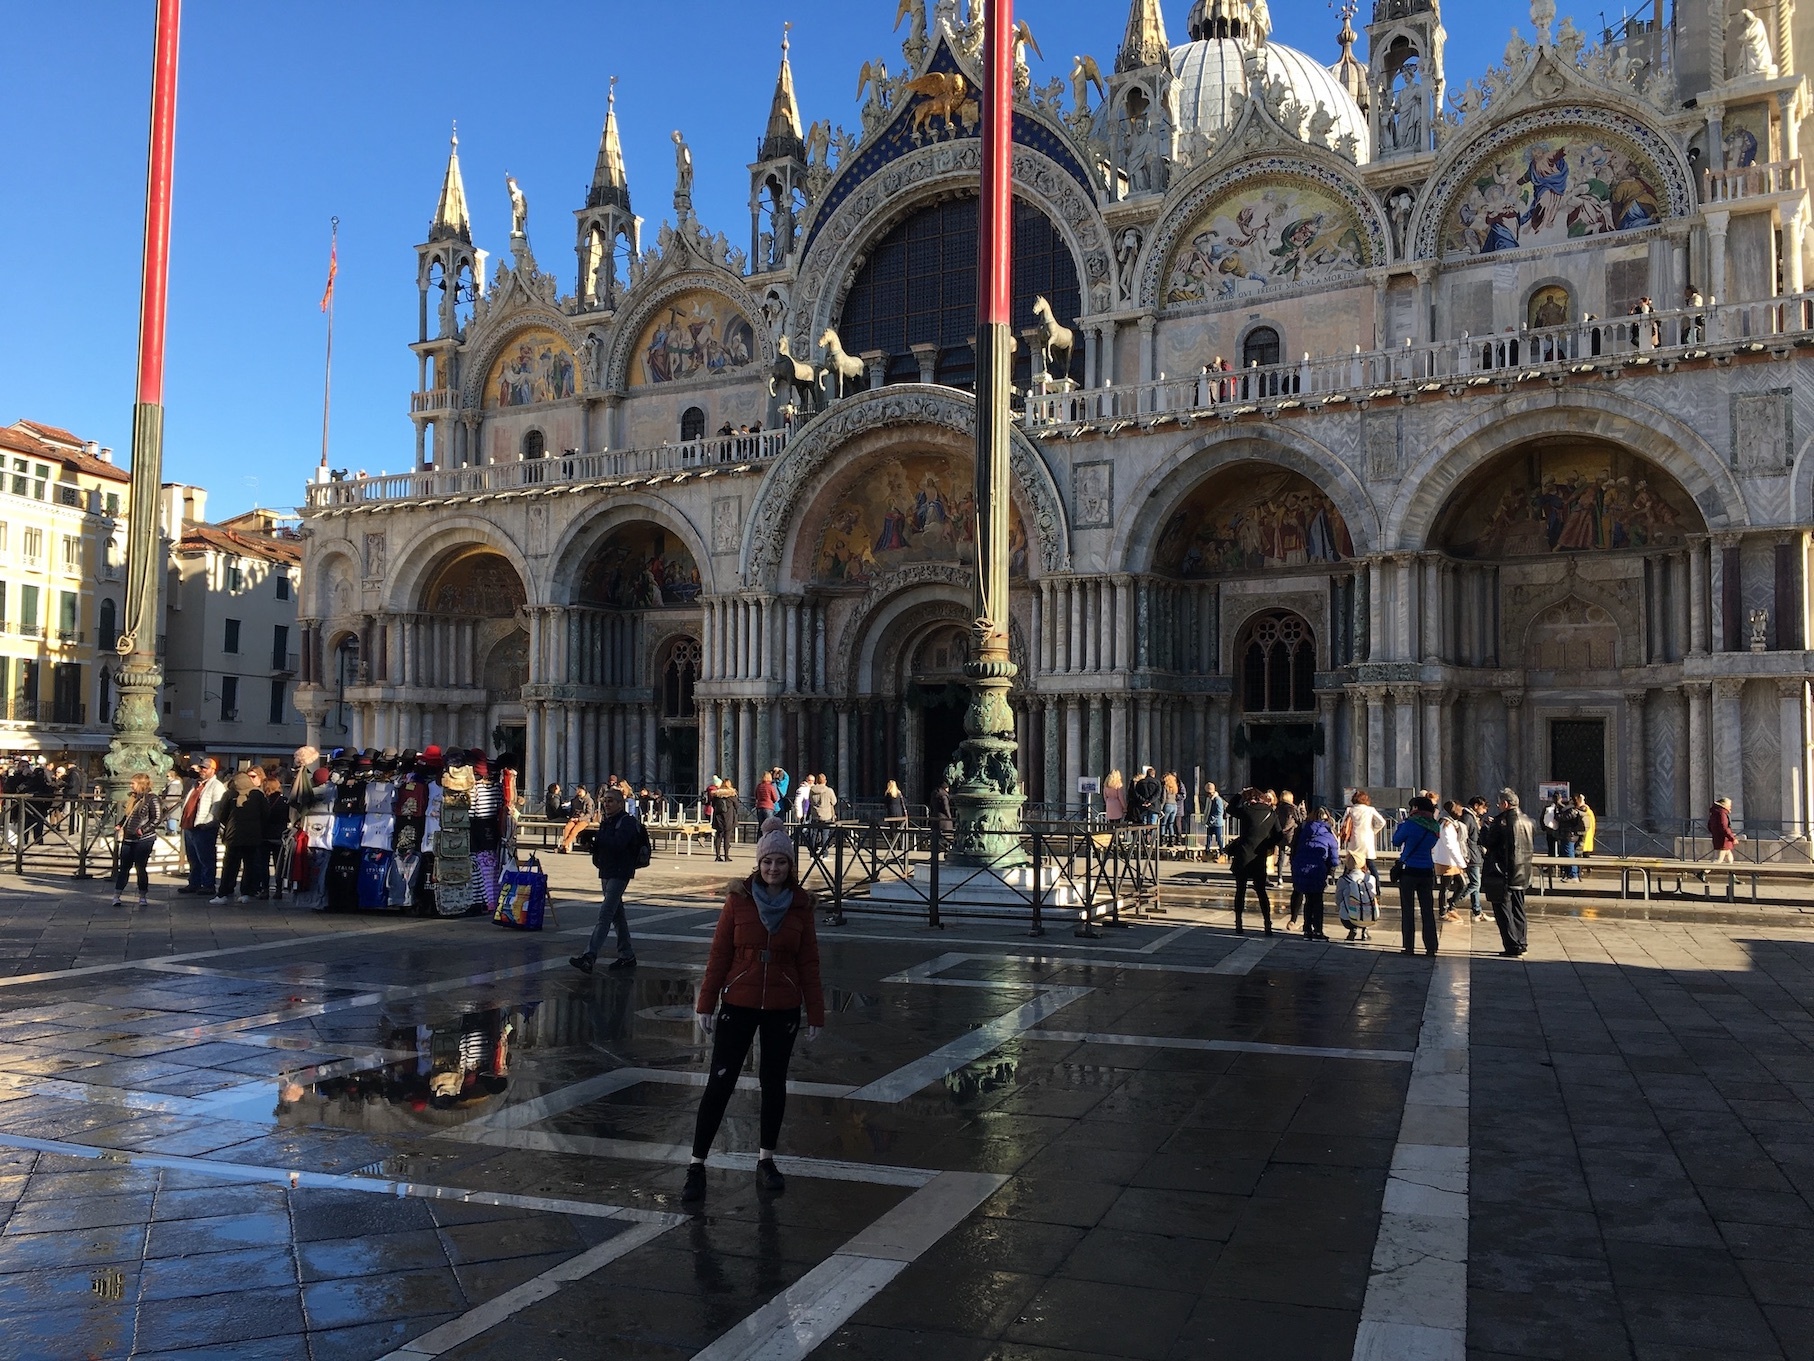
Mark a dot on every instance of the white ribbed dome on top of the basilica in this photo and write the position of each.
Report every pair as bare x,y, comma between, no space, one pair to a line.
1213,75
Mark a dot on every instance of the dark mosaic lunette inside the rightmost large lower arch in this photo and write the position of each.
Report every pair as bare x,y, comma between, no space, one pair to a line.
1566,496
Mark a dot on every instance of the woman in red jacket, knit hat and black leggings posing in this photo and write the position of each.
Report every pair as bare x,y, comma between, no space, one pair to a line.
763,972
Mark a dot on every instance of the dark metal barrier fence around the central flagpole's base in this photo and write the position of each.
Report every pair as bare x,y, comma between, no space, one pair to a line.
1058,868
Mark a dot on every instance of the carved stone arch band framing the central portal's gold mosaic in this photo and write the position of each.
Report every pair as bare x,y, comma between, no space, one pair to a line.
886,409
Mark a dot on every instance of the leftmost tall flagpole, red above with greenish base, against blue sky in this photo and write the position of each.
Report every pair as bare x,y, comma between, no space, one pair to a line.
137,747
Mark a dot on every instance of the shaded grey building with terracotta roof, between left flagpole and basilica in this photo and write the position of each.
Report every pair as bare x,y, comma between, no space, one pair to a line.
231,638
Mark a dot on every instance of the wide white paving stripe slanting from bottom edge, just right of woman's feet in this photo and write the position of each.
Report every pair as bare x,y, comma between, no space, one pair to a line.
824,1300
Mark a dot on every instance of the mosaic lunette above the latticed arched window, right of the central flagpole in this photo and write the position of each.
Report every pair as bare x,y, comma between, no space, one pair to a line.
1253,518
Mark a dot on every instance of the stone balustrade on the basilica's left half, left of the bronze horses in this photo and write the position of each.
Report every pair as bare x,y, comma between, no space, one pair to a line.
639,465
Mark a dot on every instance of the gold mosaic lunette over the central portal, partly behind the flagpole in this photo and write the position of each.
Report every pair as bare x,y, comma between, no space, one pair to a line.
899,513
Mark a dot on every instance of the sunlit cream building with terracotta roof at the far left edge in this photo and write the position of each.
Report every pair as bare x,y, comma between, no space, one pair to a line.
63,589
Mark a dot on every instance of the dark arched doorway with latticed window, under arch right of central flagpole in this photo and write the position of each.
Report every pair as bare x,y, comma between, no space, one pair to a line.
1278,667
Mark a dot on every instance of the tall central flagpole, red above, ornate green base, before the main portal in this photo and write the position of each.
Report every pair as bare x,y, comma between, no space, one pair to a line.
988,799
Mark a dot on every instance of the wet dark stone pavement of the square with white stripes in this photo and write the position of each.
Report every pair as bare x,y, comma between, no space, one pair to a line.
255,1133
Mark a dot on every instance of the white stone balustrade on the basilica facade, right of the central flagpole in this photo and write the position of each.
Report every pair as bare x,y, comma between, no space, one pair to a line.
1456,367
